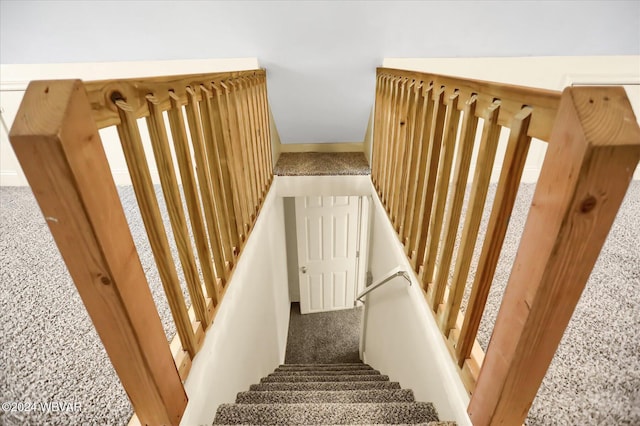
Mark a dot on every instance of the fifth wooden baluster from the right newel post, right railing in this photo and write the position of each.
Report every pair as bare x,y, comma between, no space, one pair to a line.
428,185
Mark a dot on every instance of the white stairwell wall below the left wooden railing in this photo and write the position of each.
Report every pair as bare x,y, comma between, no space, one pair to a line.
248,337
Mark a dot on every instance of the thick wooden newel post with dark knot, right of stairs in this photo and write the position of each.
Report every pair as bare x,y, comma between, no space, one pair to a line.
593,151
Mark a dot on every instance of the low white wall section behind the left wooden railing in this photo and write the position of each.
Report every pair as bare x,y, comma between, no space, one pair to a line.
15,78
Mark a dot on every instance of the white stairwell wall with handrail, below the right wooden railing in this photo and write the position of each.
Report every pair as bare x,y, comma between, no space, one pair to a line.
400,336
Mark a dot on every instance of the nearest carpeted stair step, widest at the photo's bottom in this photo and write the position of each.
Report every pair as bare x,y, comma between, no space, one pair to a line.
332,413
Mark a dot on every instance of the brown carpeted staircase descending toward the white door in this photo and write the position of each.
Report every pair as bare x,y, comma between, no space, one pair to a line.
339,394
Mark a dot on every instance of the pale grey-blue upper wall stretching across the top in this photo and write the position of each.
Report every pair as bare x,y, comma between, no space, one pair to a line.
320,55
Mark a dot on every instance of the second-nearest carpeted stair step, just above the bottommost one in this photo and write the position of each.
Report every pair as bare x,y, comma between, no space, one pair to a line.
347,396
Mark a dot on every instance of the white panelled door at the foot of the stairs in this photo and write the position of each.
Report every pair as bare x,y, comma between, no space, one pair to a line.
327,229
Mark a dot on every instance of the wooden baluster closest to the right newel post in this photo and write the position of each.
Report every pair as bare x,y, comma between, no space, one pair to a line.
506,192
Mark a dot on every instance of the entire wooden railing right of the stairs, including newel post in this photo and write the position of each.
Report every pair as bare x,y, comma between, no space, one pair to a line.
422,123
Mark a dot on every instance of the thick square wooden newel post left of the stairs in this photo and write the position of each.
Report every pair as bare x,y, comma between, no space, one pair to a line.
57,143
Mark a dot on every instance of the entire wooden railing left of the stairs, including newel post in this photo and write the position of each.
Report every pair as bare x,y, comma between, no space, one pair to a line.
222,153
